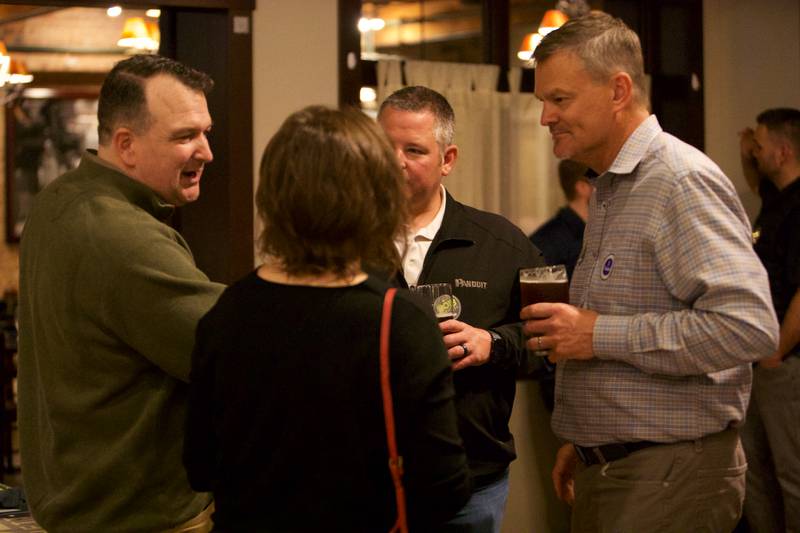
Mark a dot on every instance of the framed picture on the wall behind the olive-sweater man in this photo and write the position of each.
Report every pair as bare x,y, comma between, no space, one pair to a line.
47,131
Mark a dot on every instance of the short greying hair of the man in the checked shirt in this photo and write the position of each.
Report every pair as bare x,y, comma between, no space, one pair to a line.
604,44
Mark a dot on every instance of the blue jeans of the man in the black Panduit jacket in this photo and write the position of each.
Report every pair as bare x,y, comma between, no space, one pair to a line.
483,512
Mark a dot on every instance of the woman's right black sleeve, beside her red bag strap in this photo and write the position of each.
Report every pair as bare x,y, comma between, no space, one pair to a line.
436,474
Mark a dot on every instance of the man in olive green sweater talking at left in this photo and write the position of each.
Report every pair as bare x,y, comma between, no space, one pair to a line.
110,297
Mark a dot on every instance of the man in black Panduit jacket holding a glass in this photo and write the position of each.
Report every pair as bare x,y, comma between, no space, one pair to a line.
480,255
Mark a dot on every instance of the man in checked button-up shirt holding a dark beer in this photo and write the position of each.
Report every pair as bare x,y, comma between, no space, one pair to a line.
670,305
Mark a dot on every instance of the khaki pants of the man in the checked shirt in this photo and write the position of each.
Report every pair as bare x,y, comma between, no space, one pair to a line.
693,486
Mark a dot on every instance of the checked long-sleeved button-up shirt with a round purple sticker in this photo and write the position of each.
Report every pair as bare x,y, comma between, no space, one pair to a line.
684,302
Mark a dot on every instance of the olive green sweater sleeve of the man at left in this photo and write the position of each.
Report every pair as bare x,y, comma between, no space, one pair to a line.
150,293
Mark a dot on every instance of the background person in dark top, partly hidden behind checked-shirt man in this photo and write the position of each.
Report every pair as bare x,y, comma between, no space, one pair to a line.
560,238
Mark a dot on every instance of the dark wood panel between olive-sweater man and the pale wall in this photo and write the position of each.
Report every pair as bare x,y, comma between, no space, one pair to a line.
219,226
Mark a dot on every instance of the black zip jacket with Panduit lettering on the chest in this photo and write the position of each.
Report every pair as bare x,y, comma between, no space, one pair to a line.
480,254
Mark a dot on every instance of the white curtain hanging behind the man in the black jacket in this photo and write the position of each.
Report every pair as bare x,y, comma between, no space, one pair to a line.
505,162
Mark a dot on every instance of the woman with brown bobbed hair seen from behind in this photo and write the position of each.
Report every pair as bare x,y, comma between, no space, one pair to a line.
285,420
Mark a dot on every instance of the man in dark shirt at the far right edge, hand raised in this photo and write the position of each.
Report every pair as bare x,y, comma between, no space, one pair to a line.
771,439
